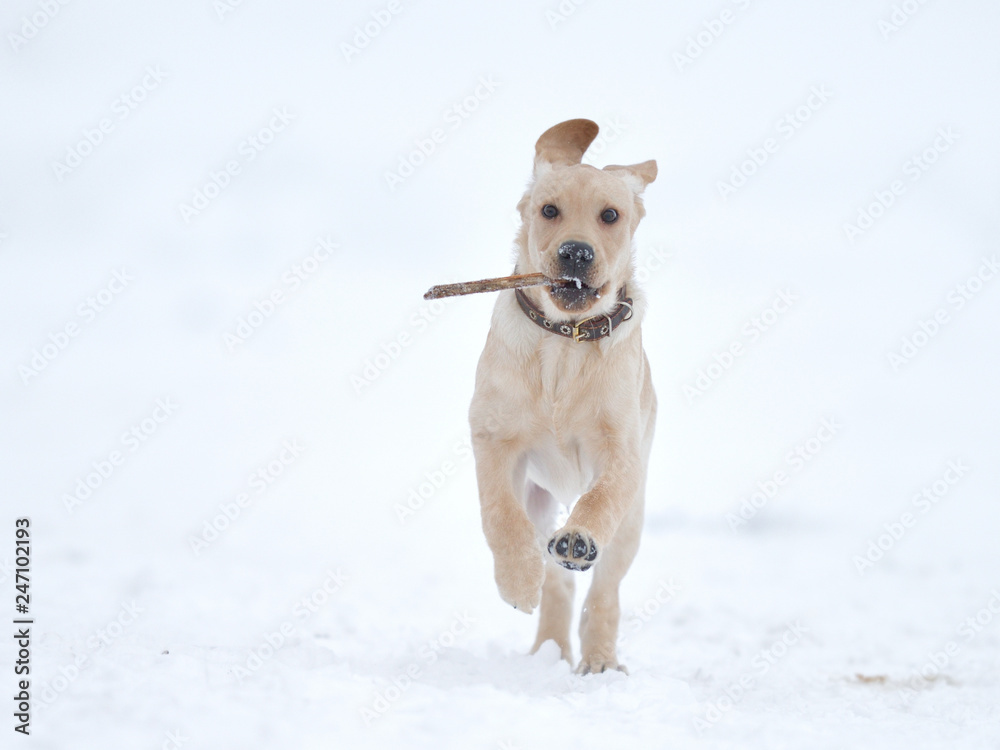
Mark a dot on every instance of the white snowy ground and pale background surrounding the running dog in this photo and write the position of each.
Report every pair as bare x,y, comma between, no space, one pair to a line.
318,614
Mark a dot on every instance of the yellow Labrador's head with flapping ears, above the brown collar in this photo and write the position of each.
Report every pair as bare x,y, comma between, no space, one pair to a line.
577,222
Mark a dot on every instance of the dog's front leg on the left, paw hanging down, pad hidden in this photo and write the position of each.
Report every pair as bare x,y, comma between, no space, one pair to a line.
519,567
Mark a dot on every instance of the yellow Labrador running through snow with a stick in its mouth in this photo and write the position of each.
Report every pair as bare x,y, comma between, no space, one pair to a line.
564,406
